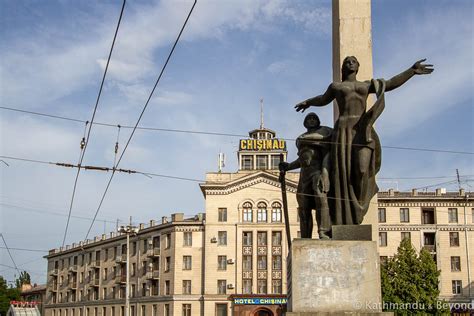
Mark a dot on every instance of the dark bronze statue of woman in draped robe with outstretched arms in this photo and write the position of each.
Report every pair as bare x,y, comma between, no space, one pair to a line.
355,149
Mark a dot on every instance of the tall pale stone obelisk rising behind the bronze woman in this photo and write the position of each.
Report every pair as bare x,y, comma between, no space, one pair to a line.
352,36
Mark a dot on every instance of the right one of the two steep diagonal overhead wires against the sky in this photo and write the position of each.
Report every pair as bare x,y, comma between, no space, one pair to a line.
140,117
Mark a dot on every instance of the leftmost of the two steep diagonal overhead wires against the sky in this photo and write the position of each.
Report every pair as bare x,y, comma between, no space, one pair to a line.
83,150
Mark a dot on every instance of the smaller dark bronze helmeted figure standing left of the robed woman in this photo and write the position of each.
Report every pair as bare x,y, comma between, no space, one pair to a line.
313,160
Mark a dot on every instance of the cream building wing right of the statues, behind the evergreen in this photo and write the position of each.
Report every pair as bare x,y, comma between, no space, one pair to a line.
441,222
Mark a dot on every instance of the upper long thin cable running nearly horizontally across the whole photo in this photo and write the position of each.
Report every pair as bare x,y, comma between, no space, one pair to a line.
222,133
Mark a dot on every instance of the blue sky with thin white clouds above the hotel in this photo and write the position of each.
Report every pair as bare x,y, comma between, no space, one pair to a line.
232,54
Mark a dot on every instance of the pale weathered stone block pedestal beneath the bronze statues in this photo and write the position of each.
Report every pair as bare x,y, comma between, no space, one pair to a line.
333,277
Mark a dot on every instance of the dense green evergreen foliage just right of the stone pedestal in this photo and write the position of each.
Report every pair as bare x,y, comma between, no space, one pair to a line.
410,282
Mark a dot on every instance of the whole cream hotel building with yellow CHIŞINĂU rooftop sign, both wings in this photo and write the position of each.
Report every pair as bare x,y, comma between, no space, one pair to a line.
232,260
